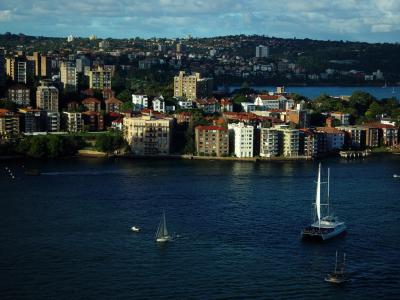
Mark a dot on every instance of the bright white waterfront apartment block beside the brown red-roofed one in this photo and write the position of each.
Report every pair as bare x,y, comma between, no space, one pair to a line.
242,139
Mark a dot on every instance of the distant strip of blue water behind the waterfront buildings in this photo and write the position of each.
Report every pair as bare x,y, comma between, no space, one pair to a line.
315,91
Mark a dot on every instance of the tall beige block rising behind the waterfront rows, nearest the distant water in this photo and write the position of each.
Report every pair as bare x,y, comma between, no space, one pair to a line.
192,86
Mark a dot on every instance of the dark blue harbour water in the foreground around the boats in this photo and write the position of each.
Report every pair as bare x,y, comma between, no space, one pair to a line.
65,234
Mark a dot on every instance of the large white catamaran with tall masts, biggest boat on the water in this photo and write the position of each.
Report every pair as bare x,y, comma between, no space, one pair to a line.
324,227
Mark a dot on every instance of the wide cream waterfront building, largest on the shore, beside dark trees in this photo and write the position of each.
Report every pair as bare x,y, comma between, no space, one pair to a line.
148,135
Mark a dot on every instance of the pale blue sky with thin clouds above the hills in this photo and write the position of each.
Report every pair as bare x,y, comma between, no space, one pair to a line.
353,20
